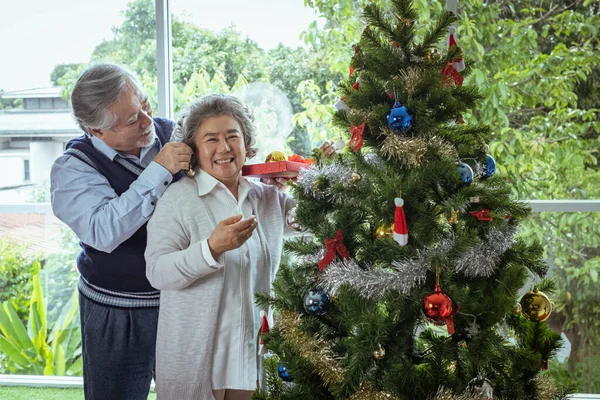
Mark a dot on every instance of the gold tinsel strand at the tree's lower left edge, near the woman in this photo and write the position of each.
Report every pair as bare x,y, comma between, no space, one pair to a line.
311,348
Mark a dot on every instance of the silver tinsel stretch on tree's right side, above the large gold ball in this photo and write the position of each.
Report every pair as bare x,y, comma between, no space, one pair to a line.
482,260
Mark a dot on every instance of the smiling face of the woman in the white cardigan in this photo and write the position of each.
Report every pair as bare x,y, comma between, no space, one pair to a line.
220,148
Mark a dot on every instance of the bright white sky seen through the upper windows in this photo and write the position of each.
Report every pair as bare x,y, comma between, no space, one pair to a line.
36,35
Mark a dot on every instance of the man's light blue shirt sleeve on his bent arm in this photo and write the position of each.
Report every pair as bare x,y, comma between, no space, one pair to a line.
84,200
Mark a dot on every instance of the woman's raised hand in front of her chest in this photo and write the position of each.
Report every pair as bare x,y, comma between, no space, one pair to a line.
230,234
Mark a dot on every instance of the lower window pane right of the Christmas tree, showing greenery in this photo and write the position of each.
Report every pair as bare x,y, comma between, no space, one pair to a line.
572,249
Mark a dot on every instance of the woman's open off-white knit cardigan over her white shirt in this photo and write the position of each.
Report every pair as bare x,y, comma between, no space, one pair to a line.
175,265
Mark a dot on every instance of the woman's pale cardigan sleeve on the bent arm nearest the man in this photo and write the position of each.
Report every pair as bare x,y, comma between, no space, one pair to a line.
172,262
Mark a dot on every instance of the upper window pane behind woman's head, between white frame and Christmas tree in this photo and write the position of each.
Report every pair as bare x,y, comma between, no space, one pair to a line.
253,50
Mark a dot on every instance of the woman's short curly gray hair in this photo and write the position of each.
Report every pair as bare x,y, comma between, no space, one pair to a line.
216,105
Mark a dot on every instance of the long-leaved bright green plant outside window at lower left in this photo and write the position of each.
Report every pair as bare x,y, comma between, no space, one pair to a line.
37,349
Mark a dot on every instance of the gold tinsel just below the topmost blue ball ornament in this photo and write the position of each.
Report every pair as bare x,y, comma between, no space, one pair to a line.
411,151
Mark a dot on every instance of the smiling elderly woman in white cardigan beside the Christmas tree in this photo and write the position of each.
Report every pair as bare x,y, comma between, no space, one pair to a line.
213,241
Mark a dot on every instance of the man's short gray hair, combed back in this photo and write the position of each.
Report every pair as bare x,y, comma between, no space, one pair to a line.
96,89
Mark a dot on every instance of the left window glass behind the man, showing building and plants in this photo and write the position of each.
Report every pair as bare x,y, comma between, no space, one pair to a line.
50,43
